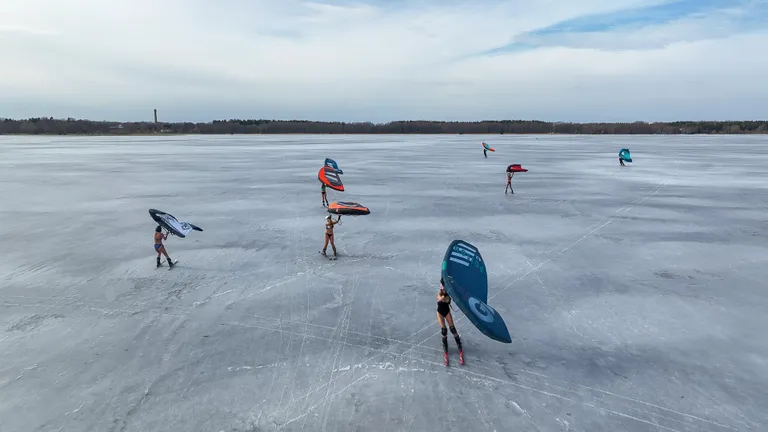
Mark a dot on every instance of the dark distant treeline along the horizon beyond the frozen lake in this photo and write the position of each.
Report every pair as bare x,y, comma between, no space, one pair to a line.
51,126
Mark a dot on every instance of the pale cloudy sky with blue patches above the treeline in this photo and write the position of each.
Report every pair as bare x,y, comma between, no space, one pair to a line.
379,61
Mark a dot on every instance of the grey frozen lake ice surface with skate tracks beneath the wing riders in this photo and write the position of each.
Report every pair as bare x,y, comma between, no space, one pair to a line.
636,296
